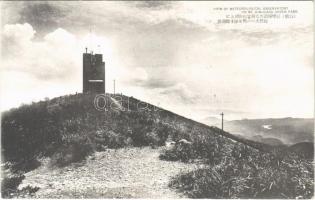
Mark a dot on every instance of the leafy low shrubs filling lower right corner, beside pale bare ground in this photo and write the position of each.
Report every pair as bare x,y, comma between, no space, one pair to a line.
250,174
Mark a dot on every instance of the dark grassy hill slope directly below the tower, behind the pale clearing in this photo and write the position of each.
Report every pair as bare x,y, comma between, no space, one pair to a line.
44,127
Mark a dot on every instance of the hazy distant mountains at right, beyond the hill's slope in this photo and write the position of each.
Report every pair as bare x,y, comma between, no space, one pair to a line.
272,131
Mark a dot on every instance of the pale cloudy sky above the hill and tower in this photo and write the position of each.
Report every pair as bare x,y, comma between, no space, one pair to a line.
172,54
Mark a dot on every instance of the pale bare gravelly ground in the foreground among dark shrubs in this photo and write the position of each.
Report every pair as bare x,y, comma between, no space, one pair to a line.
122,173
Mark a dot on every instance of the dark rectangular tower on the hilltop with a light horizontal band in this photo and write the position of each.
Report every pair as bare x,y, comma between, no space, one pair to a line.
93,73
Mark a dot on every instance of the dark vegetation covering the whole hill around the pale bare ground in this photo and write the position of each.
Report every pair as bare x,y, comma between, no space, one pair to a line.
69,128
